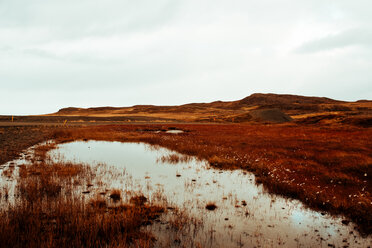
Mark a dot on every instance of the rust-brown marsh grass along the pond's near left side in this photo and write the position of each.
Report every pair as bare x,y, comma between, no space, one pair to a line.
49,211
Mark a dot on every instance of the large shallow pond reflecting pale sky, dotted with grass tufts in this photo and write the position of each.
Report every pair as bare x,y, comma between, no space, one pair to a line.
246,215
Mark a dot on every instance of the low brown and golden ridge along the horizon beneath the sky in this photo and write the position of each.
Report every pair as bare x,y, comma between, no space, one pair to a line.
258,107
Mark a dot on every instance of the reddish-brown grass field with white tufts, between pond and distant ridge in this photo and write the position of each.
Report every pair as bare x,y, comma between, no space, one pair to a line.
325,167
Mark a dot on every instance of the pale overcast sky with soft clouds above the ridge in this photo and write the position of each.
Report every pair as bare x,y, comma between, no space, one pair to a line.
85,53
